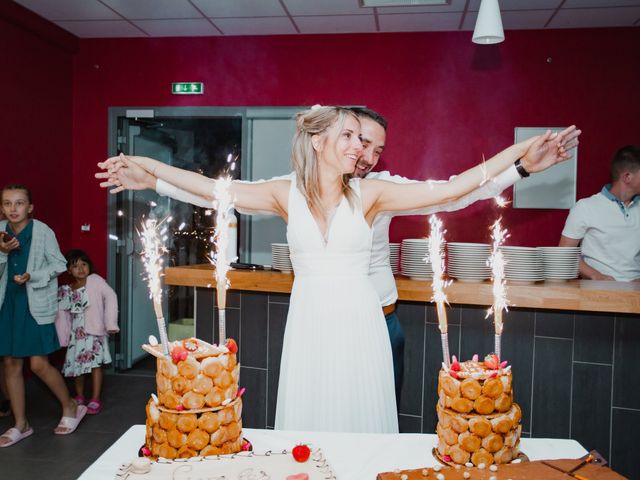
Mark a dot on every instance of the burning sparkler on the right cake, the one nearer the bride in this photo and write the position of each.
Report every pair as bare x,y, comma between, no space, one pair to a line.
438,285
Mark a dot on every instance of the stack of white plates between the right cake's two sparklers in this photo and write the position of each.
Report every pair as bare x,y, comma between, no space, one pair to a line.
467,262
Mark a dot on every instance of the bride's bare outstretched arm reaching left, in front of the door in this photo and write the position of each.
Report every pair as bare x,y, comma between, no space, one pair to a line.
136,173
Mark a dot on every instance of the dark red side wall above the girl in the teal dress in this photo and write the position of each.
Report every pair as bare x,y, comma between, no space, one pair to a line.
35,123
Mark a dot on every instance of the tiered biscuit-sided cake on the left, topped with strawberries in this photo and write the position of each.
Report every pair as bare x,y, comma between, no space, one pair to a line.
197,409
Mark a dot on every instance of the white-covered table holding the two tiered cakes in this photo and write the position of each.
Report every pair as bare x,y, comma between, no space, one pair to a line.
353,456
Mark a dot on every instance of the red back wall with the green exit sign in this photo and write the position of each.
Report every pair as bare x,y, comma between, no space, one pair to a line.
448,102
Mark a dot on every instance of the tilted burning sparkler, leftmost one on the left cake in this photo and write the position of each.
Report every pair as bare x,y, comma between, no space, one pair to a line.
152,258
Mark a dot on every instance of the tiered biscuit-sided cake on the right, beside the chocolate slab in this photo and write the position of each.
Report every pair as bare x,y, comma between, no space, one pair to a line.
478,421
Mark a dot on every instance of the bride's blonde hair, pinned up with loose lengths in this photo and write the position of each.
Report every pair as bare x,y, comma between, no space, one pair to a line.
304,158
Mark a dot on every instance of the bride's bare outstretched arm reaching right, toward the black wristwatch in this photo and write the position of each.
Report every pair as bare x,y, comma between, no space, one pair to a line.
544,151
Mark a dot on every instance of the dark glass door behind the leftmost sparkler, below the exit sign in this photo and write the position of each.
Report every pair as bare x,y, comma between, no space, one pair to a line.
199,143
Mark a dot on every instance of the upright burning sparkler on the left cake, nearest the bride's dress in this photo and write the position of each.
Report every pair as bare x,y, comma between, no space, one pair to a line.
224,207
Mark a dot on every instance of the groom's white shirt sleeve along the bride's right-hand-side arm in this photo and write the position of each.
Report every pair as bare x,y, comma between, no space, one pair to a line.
490,189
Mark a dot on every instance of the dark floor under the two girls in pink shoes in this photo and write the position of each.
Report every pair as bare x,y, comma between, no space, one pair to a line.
45,455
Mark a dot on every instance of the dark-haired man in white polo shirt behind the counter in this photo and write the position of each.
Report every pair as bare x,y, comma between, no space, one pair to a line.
607,224
